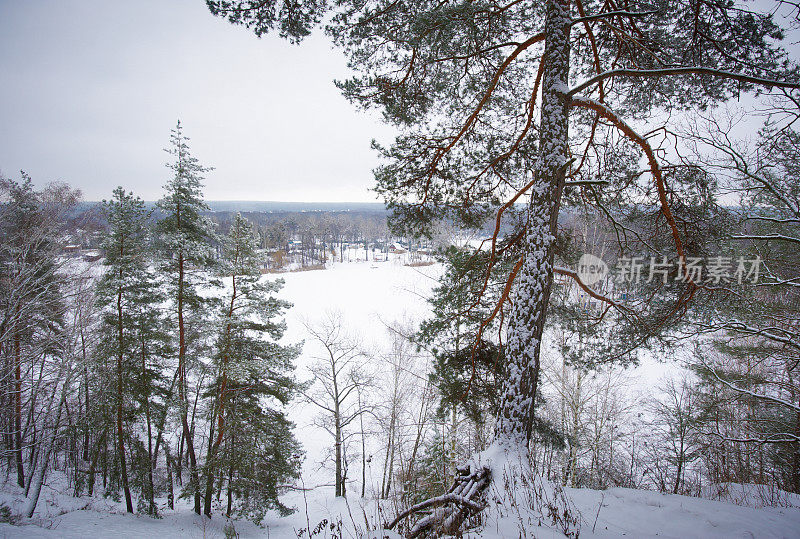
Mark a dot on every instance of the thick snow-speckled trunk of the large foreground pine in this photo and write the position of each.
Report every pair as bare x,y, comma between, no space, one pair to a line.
535,278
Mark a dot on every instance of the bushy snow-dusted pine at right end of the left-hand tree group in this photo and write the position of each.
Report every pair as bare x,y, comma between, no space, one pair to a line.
253,380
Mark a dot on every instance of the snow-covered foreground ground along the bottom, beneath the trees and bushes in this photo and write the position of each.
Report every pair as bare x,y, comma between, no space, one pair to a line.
616,512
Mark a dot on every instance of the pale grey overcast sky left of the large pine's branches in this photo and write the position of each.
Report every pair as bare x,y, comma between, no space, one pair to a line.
90,90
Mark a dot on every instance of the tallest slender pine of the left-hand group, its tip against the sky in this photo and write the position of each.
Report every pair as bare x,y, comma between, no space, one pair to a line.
186,241
